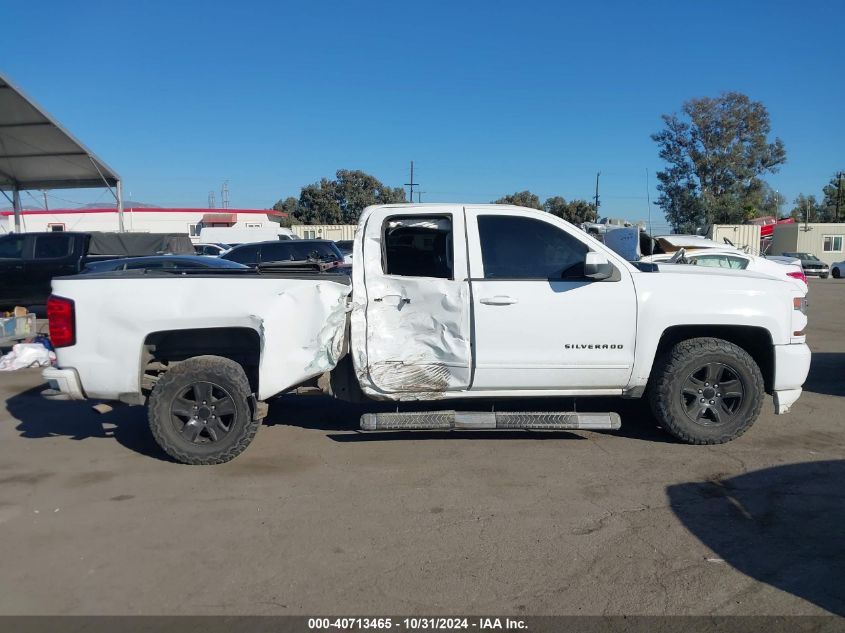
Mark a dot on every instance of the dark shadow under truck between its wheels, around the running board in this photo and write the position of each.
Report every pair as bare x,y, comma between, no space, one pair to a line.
326,414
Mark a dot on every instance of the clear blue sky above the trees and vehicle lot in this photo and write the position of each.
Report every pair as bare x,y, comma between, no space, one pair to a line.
486,97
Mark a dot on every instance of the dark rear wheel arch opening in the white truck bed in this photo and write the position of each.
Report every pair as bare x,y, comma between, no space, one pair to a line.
162,349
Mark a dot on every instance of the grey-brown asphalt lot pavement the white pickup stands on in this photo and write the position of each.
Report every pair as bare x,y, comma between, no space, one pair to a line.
317,518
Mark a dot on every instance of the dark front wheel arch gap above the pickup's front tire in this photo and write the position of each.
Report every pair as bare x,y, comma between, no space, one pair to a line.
757,341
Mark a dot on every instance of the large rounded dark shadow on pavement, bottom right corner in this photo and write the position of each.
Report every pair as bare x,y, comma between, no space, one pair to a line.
782,526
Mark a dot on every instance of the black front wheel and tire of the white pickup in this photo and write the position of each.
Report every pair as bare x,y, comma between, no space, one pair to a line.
687,400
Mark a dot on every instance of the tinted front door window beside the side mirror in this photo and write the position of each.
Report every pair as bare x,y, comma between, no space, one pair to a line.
514,247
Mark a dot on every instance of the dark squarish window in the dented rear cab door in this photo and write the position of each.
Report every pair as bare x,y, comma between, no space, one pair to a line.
416,246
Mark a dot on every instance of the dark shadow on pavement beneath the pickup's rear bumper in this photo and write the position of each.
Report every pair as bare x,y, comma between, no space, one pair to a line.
41,418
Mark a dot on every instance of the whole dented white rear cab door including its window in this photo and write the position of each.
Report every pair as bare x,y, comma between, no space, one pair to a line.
417,302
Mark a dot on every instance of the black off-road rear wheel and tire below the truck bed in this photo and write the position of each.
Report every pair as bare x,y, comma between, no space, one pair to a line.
199,411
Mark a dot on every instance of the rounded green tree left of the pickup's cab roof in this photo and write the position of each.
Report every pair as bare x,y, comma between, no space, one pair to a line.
341,201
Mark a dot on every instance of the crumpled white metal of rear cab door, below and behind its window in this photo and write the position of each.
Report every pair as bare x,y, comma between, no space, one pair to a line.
427,334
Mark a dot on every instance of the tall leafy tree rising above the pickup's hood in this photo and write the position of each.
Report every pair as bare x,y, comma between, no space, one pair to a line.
715,151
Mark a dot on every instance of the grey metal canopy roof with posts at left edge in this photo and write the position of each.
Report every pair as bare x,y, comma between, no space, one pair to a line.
37,153
